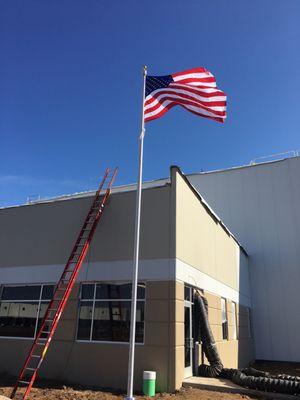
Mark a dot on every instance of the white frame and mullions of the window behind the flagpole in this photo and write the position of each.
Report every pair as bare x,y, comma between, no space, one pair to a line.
94,300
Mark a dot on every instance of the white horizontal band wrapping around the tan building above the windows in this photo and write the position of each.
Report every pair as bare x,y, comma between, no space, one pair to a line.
154,270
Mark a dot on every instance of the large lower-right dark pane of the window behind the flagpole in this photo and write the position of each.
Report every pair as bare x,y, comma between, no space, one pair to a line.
112,321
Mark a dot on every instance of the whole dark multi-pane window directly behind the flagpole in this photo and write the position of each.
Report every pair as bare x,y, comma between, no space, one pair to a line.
104,312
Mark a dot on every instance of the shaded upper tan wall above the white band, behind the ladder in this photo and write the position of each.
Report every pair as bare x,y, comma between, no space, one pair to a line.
43,234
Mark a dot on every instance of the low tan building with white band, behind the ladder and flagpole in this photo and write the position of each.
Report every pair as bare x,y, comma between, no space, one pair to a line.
184,246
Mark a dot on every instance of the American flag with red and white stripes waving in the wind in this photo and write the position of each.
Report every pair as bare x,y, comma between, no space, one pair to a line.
195,90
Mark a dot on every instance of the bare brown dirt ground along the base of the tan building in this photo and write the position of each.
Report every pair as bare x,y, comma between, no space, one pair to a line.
51,391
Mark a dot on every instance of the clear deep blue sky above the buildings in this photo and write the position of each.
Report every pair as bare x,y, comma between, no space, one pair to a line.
70,88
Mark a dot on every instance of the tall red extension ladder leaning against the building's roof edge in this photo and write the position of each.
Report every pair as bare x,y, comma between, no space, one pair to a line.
63,290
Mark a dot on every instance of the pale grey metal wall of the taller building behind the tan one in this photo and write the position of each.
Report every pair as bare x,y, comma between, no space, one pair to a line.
260,205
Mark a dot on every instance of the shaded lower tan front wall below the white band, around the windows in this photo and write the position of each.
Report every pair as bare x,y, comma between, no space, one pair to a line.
105,365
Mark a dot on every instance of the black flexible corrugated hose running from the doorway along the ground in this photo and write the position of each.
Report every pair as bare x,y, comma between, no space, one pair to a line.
248,377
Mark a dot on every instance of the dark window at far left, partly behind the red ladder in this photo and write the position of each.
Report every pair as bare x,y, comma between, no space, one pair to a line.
22,309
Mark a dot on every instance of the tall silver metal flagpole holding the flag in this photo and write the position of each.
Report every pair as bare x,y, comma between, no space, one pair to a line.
136,251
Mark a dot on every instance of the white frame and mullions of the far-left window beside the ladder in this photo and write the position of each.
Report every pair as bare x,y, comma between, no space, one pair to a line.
38,301
